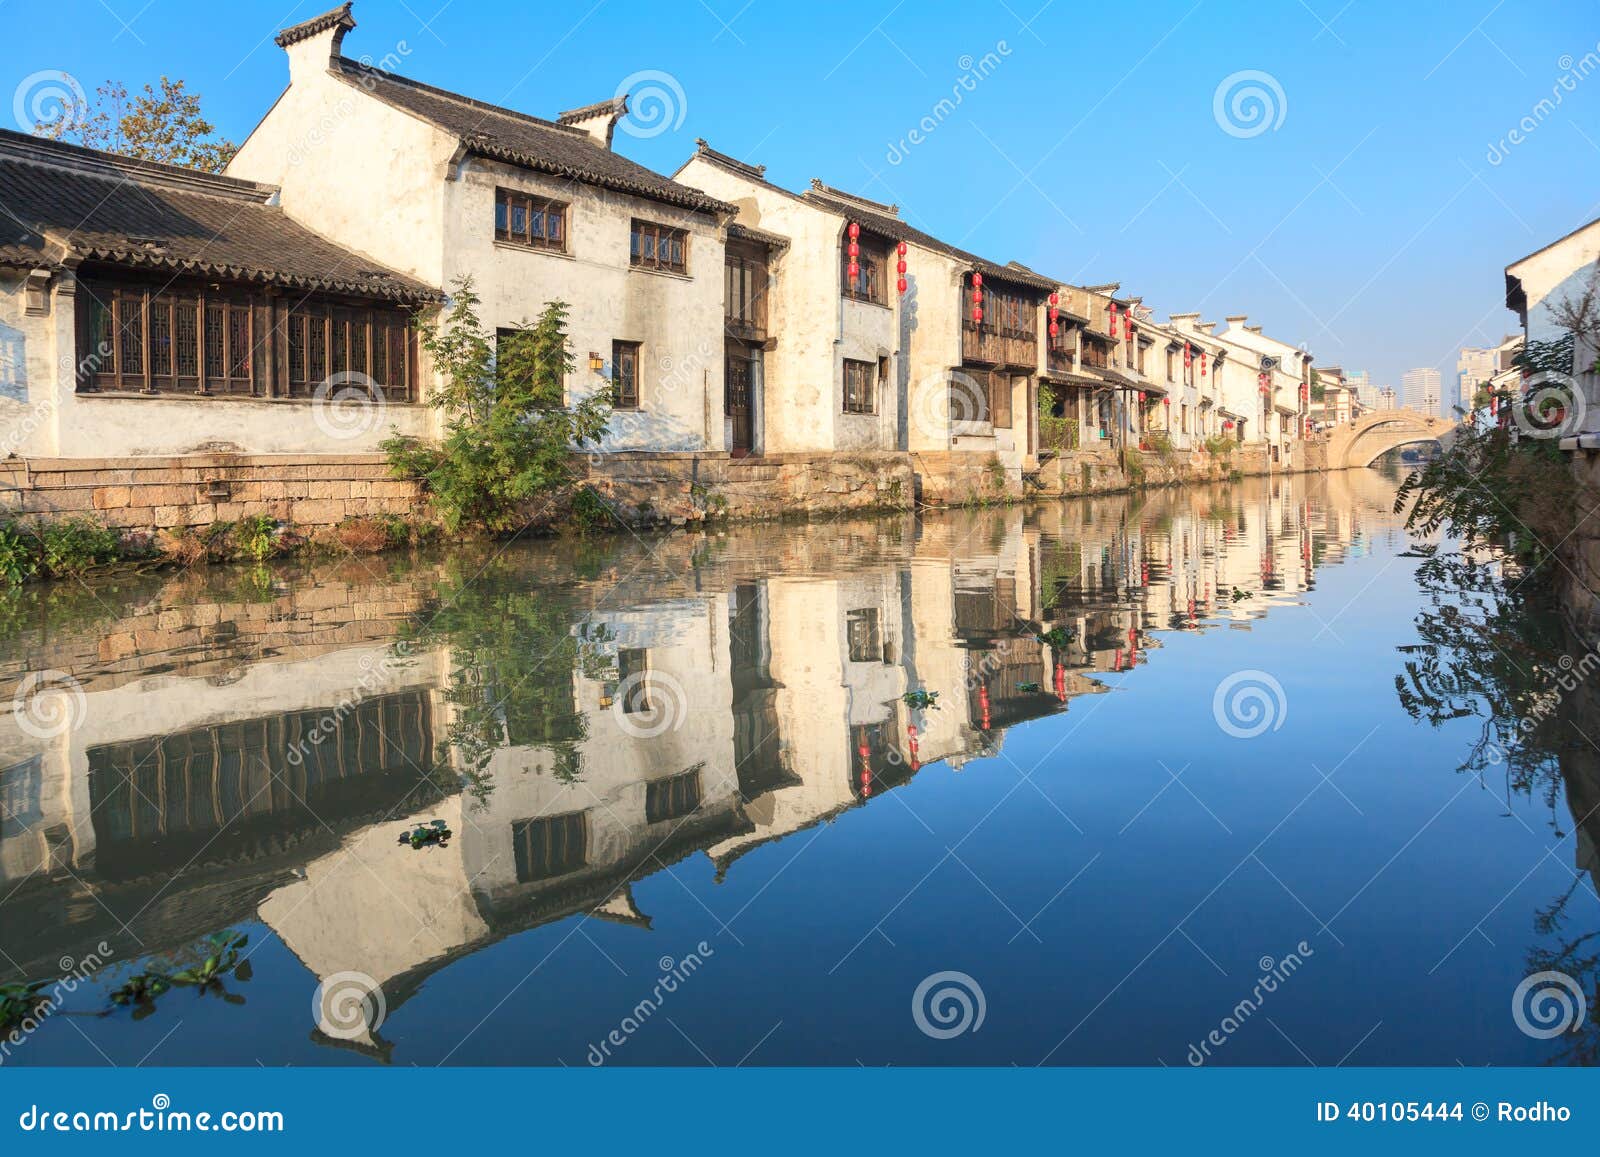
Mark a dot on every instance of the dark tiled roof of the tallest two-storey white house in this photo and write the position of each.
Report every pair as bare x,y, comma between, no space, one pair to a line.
518,138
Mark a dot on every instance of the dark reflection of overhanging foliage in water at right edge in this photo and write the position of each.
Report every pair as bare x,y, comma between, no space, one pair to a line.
1494,647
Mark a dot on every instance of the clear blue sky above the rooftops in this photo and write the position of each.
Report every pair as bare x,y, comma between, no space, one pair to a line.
1366,220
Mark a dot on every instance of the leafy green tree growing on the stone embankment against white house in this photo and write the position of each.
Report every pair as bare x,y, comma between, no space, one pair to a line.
508,438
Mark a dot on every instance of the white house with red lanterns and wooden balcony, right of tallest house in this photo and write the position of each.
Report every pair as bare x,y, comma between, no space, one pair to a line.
857,364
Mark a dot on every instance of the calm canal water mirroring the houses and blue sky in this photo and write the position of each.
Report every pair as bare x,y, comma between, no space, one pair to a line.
1188,777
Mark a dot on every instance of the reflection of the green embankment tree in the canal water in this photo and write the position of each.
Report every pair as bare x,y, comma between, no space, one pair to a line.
511,679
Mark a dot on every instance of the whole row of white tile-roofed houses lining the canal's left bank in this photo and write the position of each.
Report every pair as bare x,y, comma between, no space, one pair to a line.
169,337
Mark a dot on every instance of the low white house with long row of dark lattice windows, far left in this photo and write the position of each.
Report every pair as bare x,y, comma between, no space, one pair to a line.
154,311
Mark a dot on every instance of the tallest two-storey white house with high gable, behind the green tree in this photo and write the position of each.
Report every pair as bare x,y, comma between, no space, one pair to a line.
444,188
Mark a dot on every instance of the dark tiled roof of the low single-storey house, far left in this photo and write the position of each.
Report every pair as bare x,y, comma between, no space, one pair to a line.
60,202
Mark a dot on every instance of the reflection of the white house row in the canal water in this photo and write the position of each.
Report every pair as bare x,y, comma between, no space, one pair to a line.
722,703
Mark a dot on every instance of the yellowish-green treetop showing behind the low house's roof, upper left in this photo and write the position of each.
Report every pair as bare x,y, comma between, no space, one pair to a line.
164,126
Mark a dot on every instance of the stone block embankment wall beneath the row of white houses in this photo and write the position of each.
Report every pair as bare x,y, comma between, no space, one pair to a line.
316,492
